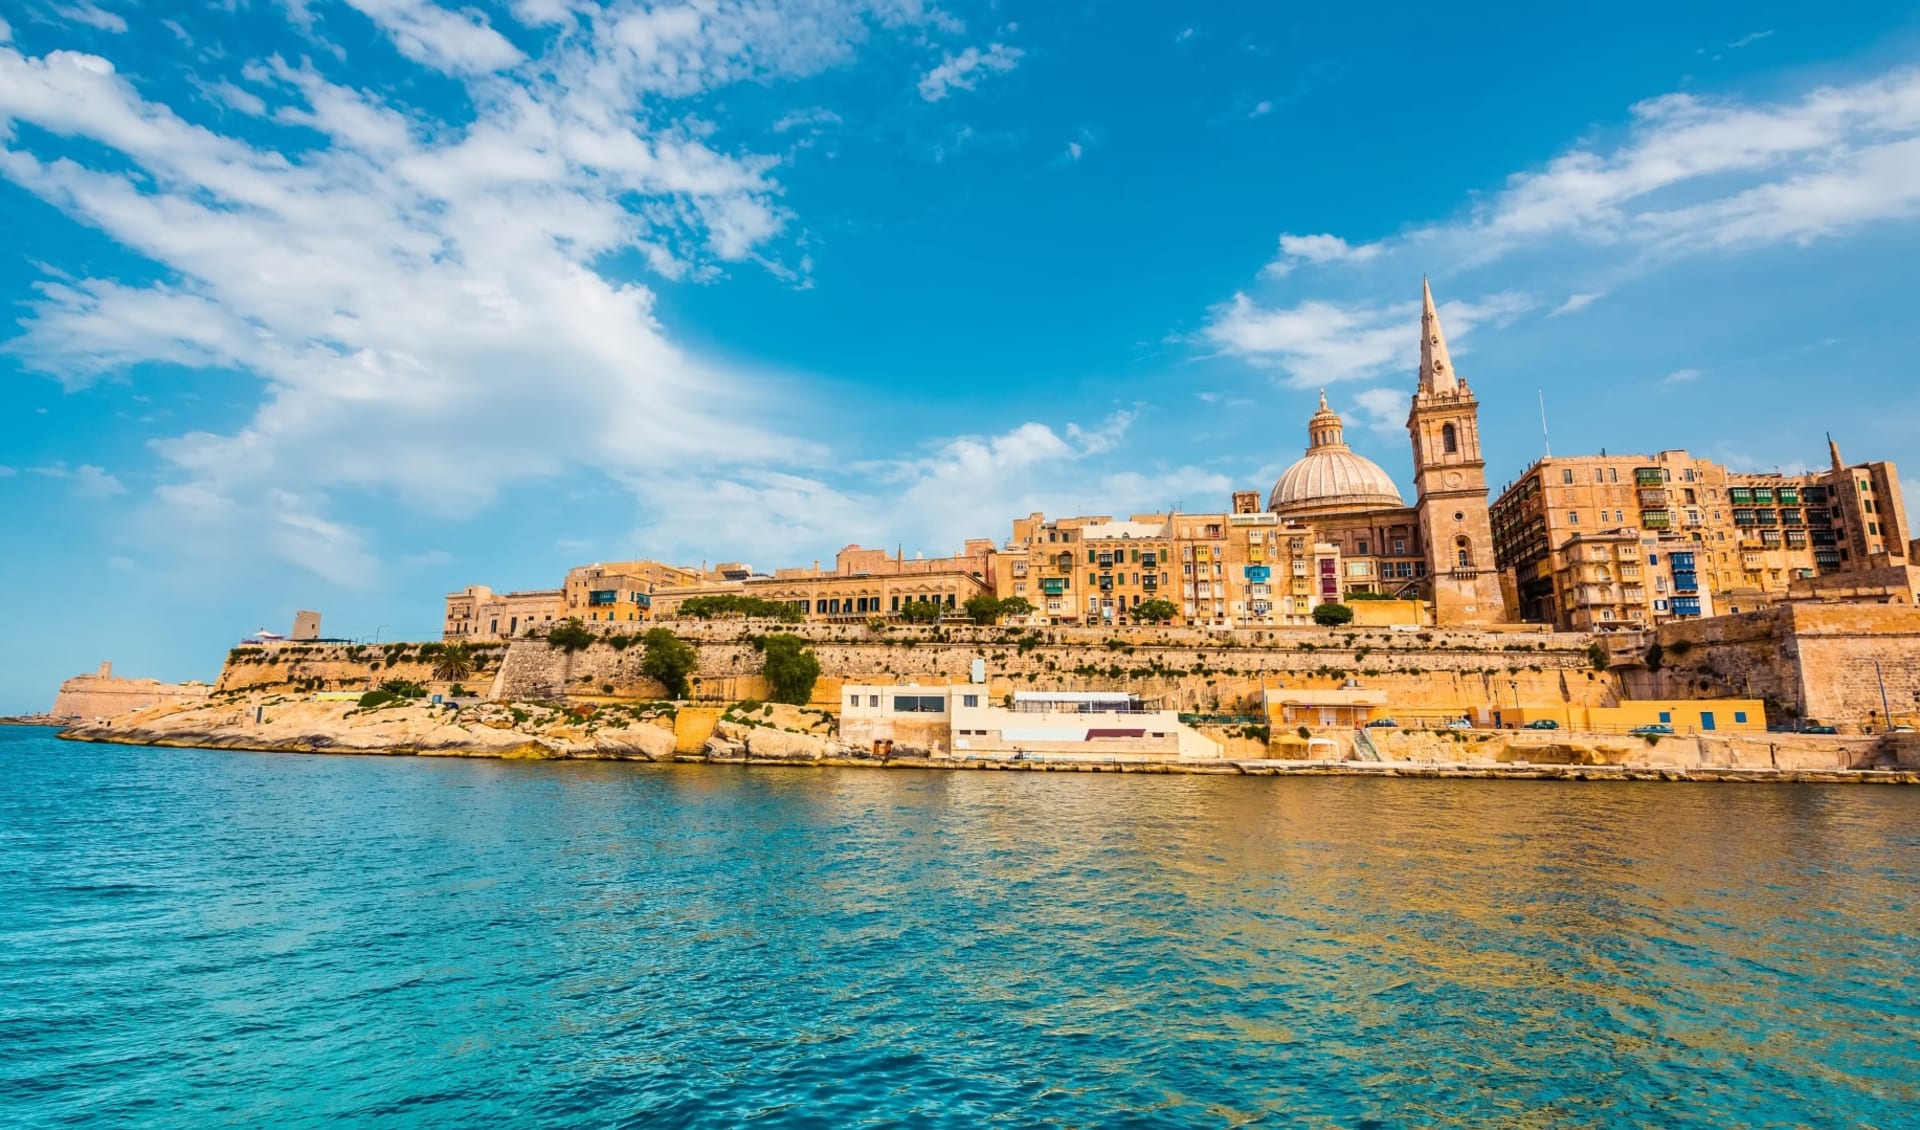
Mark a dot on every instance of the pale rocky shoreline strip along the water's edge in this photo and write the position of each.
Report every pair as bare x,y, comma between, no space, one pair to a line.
769,736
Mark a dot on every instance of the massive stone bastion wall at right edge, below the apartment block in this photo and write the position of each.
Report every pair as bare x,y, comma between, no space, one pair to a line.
1810,661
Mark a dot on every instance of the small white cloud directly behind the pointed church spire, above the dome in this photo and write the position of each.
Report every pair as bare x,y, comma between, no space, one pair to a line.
1324,342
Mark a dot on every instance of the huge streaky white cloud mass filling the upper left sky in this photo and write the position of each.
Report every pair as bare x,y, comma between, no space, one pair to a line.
420,300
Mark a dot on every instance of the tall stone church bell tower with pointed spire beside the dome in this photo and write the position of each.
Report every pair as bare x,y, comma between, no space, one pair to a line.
1451,483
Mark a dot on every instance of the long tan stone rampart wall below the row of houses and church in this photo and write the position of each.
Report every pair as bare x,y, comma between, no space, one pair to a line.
1186,669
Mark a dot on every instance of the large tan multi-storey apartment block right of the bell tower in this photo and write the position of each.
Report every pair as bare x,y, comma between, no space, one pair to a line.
1754,534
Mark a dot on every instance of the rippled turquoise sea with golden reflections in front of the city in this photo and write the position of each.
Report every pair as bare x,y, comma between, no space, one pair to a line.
222,939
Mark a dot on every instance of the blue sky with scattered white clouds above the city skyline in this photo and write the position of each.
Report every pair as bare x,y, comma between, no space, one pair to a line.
347,304
